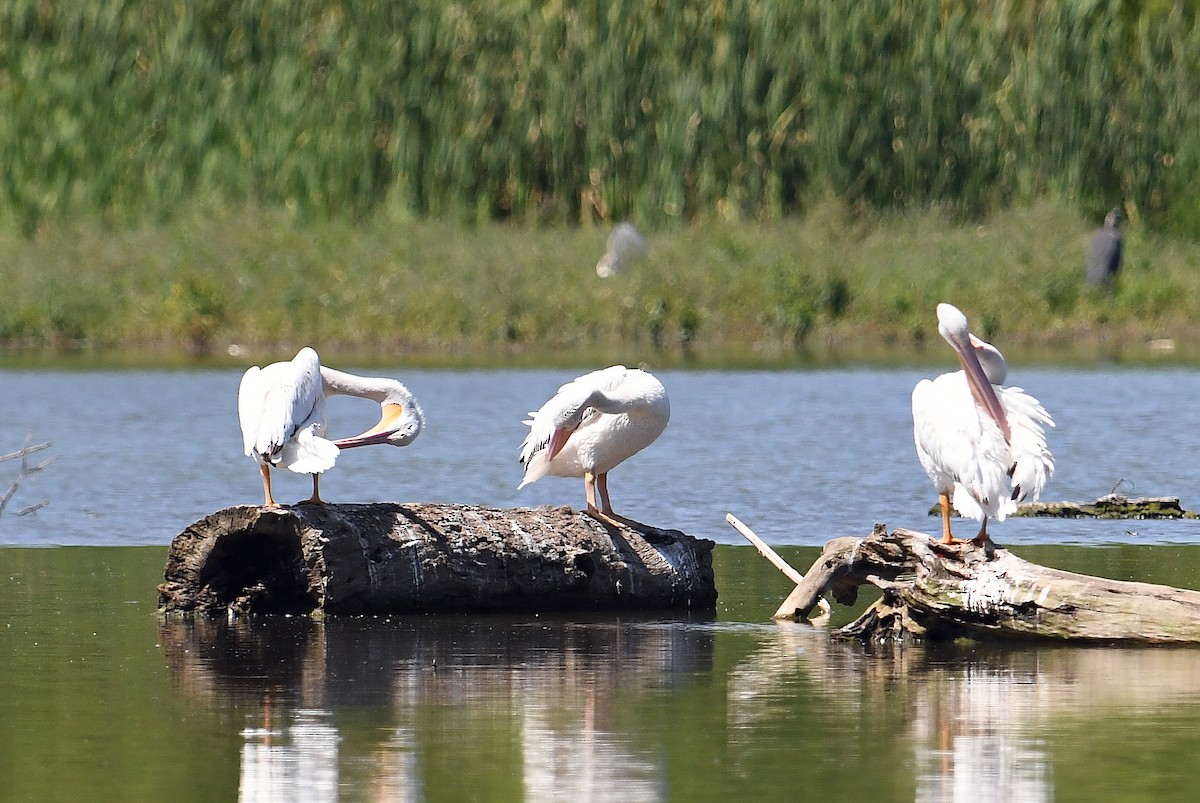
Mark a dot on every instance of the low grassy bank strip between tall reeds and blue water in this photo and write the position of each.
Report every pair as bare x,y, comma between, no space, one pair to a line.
836,285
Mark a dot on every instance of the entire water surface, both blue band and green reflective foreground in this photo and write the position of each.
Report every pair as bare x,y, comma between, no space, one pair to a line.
101,699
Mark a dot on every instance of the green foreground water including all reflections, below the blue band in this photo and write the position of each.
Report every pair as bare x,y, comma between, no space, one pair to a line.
101,699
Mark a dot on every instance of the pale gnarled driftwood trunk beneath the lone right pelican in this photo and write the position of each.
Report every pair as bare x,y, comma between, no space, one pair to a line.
941,592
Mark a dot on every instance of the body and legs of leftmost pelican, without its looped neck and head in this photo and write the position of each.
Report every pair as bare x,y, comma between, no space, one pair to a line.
283,414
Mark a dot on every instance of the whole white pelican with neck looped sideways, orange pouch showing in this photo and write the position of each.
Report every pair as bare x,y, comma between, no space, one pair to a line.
283,414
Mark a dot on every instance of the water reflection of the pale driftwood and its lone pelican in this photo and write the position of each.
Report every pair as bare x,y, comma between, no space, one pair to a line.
975,721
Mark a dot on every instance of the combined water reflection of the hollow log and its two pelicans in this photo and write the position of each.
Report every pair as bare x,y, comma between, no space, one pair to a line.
553,685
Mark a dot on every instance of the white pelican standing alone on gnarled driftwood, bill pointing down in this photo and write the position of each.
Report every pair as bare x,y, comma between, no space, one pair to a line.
979,442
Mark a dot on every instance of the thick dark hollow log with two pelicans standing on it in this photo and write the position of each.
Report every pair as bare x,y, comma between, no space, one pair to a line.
397,559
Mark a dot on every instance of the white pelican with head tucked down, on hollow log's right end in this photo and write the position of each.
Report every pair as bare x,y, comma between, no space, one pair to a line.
593,424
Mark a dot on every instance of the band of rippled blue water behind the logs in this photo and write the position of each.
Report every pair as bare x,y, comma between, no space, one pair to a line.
800,457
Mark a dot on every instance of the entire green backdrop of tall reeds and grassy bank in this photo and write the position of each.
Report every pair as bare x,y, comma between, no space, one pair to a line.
436,179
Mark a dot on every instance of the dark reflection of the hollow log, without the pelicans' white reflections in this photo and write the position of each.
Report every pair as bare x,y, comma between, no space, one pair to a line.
404,663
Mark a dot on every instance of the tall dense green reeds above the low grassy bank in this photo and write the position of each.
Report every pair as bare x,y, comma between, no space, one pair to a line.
554,112
